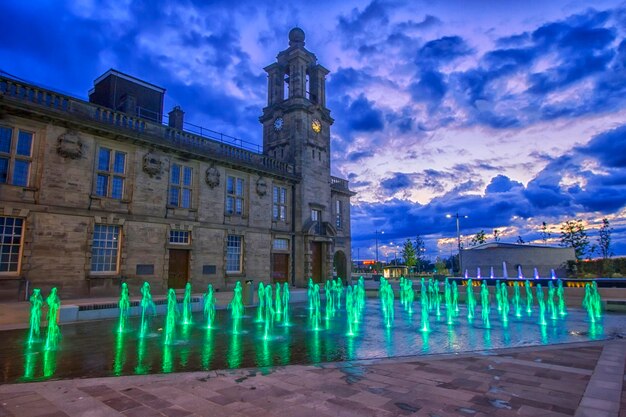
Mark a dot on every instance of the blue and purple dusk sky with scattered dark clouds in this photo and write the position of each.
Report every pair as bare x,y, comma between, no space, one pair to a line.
510,112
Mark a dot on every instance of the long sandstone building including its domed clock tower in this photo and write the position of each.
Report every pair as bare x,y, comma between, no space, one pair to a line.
99,192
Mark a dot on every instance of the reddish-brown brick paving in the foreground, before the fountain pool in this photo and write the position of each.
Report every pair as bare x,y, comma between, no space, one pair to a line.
550,381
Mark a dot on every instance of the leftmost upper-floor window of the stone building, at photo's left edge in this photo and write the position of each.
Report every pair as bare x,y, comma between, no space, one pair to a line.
15,156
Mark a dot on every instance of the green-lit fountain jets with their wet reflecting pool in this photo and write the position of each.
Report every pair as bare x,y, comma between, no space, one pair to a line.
209,343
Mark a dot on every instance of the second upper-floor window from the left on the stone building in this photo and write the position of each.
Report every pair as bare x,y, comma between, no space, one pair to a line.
111,173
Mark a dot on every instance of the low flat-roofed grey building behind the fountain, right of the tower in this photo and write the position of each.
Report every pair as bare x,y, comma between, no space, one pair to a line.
528,257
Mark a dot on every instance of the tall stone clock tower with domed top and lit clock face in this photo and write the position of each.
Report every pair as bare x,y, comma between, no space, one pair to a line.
296,130
